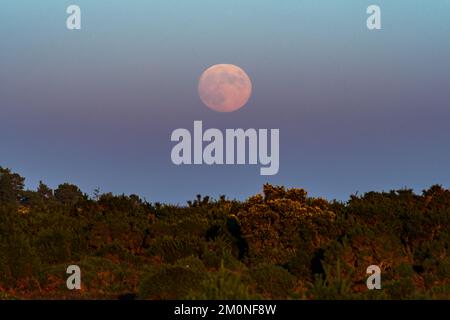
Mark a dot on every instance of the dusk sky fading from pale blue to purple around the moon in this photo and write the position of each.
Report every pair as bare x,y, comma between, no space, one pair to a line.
357,110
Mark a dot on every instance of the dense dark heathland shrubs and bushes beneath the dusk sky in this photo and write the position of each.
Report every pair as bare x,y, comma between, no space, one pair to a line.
280,244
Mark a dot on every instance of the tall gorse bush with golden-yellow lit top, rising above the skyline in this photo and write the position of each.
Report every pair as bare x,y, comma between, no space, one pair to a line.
270,224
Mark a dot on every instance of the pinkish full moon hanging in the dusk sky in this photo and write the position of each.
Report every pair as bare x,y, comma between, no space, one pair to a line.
224,87
